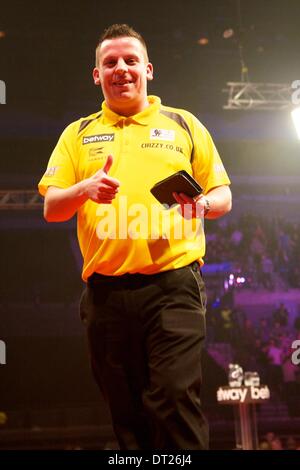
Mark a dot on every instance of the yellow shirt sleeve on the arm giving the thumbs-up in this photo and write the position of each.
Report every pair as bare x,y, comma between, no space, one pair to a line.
61,169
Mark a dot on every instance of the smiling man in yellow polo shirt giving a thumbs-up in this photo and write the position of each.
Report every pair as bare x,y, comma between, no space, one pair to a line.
144,304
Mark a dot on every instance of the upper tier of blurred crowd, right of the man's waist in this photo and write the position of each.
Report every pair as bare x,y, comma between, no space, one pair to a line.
266,251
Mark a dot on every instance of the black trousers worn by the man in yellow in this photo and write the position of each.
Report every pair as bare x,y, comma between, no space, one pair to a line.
145,335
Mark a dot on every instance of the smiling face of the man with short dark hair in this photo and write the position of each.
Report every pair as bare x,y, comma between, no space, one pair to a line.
122,72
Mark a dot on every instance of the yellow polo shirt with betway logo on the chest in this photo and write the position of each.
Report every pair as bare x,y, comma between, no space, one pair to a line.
135,233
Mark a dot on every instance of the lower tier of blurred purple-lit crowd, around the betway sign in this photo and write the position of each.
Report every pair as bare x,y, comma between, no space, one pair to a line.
264,346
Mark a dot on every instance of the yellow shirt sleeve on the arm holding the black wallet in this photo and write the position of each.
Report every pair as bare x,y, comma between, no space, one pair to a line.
207,165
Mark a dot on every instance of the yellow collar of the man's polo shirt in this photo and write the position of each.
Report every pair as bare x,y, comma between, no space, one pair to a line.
112,118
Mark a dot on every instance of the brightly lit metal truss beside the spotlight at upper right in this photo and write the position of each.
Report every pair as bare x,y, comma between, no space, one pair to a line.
258,96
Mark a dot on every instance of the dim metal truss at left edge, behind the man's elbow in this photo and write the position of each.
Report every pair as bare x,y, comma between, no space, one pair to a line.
20,199
